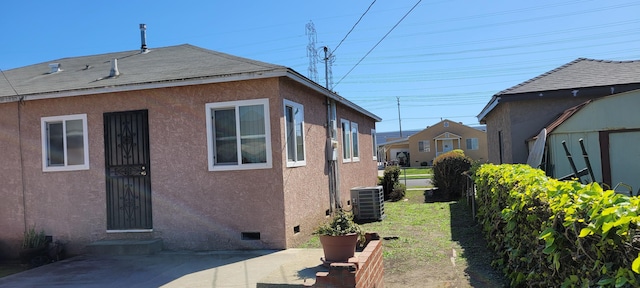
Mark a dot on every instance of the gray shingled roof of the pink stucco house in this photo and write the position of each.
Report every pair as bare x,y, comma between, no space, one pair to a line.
171,63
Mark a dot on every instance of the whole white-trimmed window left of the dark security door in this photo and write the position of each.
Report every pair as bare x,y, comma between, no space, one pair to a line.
65,143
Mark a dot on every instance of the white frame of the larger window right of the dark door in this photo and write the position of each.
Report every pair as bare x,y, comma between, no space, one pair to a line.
209,107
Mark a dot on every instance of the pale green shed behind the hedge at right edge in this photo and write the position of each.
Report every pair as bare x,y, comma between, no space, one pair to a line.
610,129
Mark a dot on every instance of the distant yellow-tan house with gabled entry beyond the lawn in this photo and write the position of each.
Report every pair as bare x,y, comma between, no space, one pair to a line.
423,146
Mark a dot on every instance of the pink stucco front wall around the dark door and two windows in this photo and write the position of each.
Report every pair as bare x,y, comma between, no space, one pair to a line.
193,208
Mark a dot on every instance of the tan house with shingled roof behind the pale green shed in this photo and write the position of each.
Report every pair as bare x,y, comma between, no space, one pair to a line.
514,115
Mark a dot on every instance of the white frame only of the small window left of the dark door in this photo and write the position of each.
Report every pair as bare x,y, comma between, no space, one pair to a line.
44,122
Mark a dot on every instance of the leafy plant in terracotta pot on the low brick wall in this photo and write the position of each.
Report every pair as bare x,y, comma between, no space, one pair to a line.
339,237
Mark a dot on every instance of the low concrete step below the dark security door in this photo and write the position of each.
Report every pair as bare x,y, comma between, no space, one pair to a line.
126,247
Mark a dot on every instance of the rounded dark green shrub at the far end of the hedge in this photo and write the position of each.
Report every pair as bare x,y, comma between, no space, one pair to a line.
447,173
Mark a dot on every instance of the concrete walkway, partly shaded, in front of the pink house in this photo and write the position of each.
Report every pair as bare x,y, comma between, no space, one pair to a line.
177,269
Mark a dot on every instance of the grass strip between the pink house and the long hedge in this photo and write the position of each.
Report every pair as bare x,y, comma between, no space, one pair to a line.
435,242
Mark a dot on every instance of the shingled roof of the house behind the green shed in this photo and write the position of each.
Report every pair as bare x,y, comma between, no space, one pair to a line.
579,73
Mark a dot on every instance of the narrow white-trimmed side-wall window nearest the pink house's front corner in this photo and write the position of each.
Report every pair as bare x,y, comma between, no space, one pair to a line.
294,133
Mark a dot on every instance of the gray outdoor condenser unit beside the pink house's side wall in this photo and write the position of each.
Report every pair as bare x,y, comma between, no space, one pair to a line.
368,203
